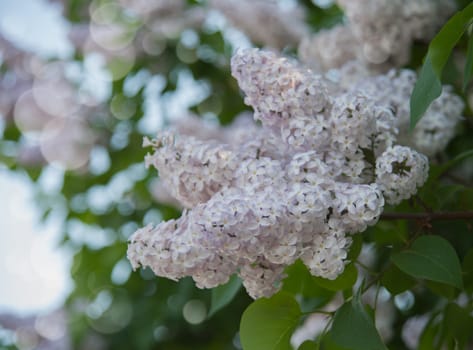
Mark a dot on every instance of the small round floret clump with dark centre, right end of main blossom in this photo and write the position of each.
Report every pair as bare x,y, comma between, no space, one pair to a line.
399,172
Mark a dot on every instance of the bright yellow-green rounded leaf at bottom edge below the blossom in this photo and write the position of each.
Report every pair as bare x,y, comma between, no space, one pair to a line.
267,324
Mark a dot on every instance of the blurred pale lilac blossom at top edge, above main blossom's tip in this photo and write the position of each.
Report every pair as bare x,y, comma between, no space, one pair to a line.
264,21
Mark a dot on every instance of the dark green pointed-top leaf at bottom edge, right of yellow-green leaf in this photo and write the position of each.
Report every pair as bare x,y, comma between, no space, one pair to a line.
354,329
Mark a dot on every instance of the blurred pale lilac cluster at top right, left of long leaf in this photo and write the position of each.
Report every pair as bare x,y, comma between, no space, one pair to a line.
379,33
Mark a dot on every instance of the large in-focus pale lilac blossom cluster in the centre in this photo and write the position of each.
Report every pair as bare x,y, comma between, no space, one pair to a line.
255,206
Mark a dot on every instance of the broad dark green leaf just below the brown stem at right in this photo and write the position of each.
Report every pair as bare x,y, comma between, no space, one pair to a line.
432,258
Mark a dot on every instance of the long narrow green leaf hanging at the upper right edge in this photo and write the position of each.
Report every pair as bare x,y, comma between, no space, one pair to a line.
428,86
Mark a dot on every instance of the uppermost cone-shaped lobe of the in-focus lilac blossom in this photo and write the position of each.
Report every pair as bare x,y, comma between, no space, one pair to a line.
276,88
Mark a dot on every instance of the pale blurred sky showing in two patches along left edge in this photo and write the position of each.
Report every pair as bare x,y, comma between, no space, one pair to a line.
34,273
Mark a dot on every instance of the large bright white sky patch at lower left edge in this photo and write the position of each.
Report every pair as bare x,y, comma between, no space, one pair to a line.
34,273
